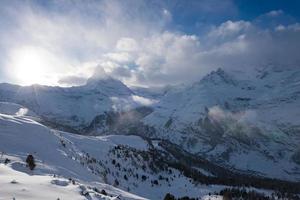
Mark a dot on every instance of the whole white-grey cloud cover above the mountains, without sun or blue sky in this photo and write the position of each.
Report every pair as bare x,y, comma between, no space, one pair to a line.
131,41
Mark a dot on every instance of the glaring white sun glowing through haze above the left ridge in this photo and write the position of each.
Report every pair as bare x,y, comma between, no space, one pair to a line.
31,65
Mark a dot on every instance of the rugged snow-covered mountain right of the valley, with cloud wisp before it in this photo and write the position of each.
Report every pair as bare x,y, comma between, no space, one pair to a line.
234,120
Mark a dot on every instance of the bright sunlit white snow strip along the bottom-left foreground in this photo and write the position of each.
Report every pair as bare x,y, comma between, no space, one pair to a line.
20,185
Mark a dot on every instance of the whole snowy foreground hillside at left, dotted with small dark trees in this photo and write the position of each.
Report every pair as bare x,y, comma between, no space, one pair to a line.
86,159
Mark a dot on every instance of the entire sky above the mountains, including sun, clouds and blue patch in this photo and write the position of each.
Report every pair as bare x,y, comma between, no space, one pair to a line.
143,43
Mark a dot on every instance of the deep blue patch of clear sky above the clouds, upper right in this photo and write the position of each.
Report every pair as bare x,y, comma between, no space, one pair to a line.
188,14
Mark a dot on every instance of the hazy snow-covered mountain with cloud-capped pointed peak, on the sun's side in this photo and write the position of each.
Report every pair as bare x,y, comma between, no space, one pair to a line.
74,107
